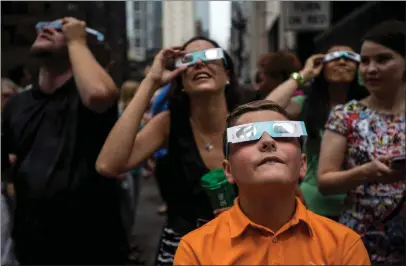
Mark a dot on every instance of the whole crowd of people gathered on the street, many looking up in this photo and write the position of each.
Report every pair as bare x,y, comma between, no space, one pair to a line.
74,148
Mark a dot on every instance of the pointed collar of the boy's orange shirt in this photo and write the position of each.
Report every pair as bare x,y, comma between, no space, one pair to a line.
239,222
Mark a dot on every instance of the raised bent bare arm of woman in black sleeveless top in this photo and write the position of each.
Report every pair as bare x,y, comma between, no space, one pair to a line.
125,148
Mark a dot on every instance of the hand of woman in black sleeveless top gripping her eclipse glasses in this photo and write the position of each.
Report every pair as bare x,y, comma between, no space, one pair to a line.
158,72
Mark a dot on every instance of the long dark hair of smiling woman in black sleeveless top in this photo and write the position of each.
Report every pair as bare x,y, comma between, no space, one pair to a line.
178,99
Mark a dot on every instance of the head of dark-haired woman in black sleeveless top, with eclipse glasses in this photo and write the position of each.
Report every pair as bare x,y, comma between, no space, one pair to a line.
209,73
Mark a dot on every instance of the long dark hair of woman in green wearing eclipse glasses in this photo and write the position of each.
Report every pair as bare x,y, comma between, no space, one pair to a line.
317,105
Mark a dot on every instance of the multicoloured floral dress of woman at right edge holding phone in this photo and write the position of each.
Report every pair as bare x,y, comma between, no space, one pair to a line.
375,211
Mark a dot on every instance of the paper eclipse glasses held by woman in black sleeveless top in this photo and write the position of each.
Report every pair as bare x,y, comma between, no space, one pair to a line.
204,56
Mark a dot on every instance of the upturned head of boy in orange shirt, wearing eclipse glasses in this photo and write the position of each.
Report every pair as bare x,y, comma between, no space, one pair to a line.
263,146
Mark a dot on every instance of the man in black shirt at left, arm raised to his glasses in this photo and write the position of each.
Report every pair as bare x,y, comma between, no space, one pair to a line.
66,213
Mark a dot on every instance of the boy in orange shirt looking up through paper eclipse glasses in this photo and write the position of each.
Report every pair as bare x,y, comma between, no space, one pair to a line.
268,224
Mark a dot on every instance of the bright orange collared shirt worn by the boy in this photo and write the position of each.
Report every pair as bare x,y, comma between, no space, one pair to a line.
307,239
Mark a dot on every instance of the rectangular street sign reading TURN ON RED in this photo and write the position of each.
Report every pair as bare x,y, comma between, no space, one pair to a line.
306,15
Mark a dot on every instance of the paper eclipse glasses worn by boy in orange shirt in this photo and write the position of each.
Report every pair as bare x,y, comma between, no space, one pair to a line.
254,131
